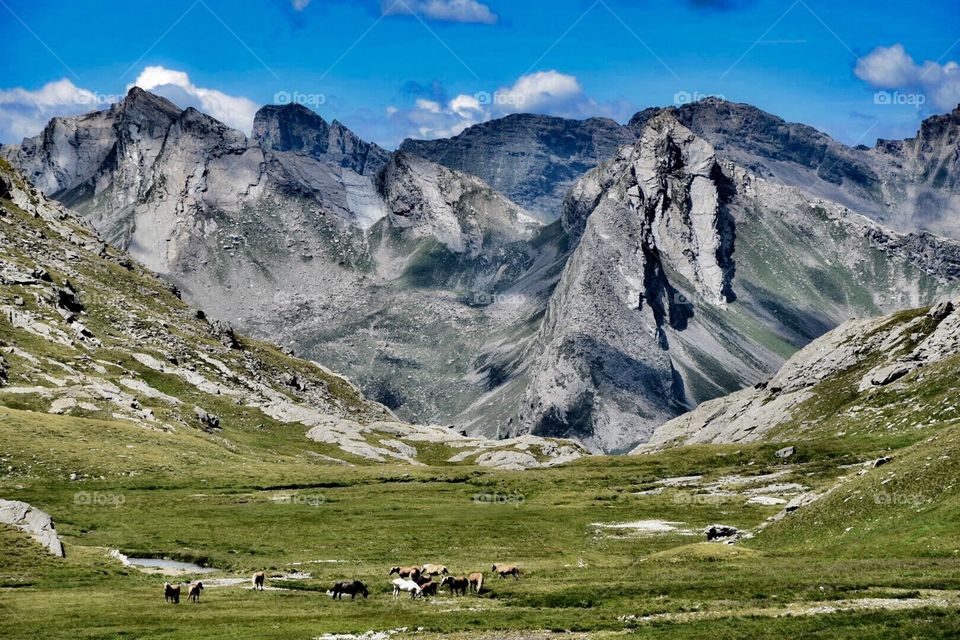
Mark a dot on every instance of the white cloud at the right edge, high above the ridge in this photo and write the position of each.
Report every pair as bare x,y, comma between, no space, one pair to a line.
893,68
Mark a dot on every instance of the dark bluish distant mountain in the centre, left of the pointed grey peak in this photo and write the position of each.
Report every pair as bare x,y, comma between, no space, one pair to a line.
531,159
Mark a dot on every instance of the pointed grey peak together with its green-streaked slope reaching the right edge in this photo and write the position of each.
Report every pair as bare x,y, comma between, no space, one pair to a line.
676,249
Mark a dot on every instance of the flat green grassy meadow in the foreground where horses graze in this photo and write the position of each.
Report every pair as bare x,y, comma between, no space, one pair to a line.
330,522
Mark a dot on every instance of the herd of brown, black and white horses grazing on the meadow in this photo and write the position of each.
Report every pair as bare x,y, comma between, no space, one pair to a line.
418,581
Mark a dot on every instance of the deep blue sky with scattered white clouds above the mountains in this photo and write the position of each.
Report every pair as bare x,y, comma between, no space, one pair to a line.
425,68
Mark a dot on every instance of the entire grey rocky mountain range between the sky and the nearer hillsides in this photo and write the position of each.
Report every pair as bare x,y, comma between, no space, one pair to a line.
566,278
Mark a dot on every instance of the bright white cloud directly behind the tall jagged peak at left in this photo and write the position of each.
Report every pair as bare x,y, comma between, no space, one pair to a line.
235,111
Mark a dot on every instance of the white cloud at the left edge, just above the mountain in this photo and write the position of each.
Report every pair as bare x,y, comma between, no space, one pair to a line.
25,113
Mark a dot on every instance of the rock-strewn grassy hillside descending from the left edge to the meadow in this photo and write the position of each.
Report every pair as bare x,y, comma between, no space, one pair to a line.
88,334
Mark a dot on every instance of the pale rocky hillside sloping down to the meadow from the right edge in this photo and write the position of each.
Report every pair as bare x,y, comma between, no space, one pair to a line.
874,354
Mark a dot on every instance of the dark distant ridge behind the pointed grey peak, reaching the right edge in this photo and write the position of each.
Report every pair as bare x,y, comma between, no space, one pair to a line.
910,185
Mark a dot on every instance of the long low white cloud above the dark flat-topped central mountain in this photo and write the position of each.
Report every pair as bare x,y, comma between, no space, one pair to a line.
546,92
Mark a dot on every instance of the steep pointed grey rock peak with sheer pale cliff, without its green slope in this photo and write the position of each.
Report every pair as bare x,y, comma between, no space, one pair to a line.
604,360
